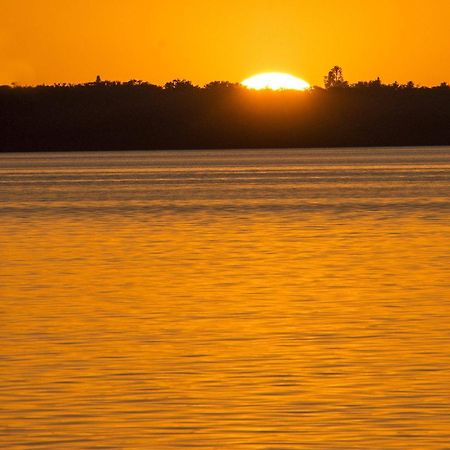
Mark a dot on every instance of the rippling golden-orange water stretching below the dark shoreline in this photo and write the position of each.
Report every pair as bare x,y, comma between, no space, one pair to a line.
260,300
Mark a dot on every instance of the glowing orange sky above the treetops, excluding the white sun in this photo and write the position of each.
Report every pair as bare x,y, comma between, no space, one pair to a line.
74,40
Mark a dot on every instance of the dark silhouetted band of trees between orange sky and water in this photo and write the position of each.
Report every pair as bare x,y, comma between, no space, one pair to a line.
137,115
